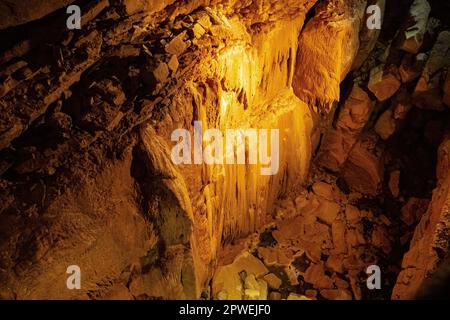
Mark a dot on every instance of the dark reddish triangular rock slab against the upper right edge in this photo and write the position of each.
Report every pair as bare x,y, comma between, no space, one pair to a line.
428,92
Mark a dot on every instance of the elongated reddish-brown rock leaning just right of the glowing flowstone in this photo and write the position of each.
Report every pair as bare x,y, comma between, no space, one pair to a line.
339,141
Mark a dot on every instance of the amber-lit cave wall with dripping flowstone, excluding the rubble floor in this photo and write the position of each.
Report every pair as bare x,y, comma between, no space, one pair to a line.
85,124
